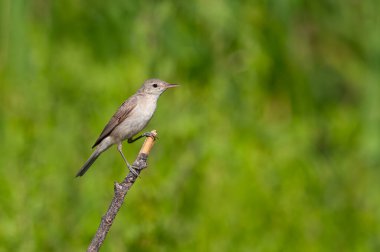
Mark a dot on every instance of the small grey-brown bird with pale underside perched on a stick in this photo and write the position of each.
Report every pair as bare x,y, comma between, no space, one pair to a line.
131,118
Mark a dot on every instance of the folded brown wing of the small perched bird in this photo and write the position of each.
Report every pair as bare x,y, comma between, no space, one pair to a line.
120,115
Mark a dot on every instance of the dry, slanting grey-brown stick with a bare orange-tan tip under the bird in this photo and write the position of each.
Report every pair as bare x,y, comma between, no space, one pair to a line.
121,190
